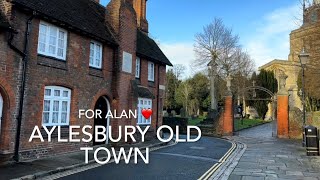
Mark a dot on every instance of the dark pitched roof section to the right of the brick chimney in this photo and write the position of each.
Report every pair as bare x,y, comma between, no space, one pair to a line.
148,48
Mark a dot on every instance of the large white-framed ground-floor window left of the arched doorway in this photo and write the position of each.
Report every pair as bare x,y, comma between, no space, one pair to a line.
56,106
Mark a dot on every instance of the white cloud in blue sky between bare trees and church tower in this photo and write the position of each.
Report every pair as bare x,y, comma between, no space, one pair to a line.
270,39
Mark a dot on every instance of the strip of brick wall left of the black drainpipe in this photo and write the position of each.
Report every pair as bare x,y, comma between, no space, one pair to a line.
9,89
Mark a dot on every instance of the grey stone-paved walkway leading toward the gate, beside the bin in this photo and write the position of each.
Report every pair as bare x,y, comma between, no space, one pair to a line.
271,158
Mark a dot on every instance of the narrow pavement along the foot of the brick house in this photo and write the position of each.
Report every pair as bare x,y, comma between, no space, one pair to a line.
51,165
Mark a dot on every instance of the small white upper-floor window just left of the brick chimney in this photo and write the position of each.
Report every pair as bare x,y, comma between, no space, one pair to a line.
95,55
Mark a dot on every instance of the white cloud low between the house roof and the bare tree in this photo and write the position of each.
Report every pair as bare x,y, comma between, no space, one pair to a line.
180,53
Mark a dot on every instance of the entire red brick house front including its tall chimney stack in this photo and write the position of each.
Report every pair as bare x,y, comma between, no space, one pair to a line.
86,84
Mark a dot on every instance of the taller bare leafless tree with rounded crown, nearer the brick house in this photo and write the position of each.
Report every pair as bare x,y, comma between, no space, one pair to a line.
216,47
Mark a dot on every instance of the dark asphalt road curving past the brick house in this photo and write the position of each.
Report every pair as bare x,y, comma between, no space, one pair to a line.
181,161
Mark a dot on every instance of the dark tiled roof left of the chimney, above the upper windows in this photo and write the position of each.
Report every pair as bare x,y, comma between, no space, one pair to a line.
84,15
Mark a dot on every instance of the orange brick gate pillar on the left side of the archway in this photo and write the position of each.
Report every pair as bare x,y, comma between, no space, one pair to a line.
228,116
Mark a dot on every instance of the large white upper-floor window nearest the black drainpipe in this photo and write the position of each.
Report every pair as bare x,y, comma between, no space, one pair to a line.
52,41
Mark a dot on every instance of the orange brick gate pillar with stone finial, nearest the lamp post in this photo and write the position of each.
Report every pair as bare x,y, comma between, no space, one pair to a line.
283,108
